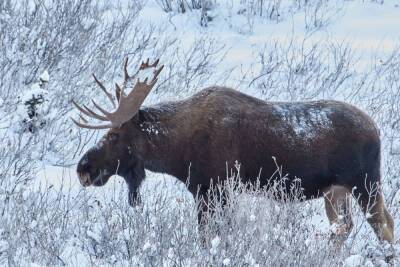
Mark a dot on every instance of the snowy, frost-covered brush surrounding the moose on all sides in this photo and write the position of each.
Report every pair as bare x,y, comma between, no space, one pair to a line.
275,50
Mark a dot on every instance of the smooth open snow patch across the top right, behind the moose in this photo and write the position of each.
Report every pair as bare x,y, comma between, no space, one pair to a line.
367,26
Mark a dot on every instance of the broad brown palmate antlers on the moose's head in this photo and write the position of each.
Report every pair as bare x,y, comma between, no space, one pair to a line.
128,105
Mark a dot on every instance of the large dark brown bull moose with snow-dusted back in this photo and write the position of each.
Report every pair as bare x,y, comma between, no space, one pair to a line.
331,146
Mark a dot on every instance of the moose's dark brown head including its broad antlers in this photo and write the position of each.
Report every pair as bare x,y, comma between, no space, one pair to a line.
118,152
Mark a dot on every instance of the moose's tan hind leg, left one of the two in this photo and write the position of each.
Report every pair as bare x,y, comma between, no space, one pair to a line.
338,209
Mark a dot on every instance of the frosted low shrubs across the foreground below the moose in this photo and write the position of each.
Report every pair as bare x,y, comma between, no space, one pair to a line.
57,227
